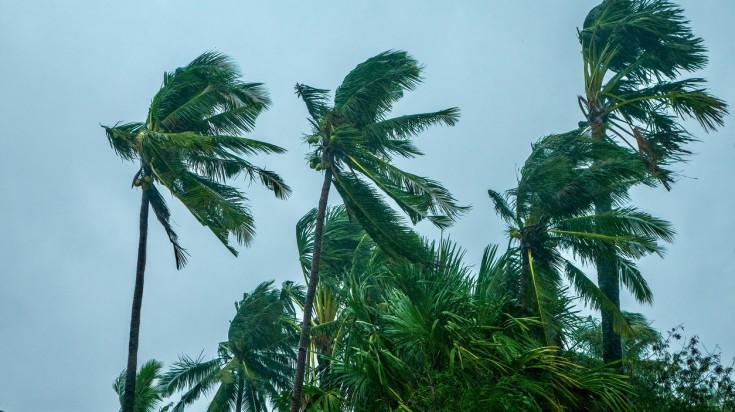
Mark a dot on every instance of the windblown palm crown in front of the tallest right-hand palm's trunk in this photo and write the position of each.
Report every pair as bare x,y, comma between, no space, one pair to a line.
550,212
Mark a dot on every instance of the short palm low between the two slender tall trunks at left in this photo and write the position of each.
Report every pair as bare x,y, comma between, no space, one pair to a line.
253,364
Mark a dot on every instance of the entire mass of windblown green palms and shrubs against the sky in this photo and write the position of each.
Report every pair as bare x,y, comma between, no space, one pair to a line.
388,320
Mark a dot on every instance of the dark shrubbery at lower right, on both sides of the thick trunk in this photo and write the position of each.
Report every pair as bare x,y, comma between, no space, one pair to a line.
667,373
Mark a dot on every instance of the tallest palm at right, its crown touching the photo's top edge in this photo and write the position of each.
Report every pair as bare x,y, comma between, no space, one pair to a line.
634,52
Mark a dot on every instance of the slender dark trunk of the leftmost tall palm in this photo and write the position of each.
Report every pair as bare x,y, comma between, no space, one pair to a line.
129,394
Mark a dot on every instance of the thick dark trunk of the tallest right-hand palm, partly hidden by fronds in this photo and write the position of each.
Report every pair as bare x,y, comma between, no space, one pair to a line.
607,272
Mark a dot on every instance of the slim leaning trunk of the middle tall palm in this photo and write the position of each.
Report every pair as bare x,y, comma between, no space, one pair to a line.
310,291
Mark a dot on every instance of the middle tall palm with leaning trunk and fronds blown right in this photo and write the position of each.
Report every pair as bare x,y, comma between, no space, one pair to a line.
354,143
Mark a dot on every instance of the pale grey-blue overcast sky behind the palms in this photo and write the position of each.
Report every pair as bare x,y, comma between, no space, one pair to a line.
69,218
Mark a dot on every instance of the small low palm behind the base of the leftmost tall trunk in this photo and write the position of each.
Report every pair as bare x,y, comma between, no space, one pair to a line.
147,398
